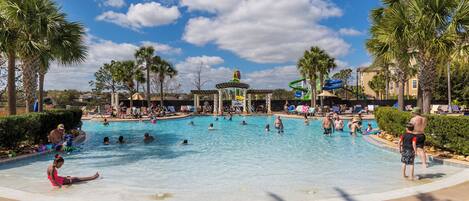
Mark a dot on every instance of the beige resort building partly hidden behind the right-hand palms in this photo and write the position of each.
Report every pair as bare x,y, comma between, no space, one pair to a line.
366,74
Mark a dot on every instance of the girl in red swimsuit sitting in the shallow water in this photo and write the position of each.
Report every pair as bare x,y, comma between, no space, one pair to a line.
57,180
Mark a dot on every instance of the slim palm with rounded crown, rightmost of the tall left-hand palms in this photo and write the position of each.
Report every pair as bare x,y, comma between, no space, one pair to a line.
65,46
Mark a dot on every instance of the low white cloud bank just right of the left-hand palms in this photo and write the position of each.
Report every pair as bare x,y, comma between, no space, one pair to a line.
100,51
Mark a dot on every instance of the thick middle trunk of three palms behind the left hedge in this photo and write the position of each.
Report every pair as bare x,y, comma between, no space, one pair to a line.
29,82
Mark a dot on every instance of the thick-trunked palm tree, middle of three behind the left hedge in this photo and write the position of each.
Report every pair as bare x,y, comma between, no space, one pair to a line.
34,22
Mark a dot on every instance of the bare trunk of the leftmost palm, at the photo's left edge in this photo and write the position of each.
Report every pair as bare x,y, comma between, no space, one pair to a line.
11,83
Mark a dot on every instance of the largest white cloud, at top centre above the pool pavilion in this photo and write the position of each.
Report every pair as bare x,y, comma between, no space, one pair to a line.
265,31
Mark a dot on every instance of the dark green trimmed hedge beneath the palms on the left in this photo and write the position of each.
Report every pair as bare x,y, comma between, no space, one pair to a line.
34,127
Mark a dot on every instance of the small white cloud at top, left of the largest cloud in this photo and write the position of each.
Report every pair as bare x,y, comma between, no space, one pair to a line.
140,15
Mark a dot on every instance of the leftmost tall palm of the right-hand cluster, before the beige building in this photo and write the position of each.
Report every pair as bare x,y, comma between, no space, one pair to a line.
389,42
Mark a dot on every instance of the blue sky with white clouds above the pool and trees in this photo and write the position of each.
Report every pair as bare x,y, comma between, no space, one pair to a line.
261,38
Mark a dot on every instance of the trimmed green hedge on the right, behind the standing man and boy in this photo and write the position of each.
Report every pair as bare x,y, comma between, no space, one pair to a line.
446,132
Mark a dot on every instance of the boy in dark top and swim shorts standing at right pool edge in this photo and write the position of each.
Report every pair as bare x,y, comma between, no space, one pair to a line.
407,148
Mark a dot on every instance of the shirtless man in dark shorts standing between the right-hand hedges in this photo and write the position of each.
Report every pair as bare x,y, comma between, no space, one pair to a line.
419,123
